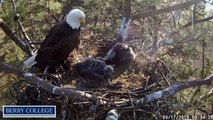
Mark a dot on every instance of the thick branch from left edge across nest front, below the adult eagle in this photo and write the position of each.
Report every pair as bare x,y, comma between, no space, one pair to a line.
32,78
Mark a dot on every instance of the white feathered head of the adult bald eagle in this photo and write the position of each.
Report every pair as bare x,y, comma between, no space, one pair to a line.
75,18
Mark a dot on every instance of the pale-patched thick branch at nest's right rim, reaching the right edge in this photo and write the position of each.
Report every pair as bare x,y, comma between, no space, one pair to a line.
172,90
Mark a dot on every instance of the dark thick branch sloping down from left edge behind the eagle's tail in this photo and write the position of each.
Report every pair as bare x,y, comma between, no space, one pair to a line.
11,35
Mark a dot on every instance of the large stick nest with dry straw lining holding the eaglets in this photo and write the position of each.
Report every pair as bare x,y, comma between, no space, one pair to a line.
131,82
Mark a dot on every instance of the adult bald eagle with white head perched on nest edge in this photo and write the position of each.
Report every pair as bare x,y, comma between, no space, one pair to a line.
61,39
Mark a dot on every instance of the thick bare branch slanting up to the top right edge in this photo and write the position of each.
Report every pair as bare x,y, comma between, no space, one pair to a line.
164,10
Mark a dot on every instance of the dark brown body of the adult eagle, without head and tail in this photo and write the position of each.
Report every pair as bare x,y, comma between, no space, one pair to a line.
56,47
